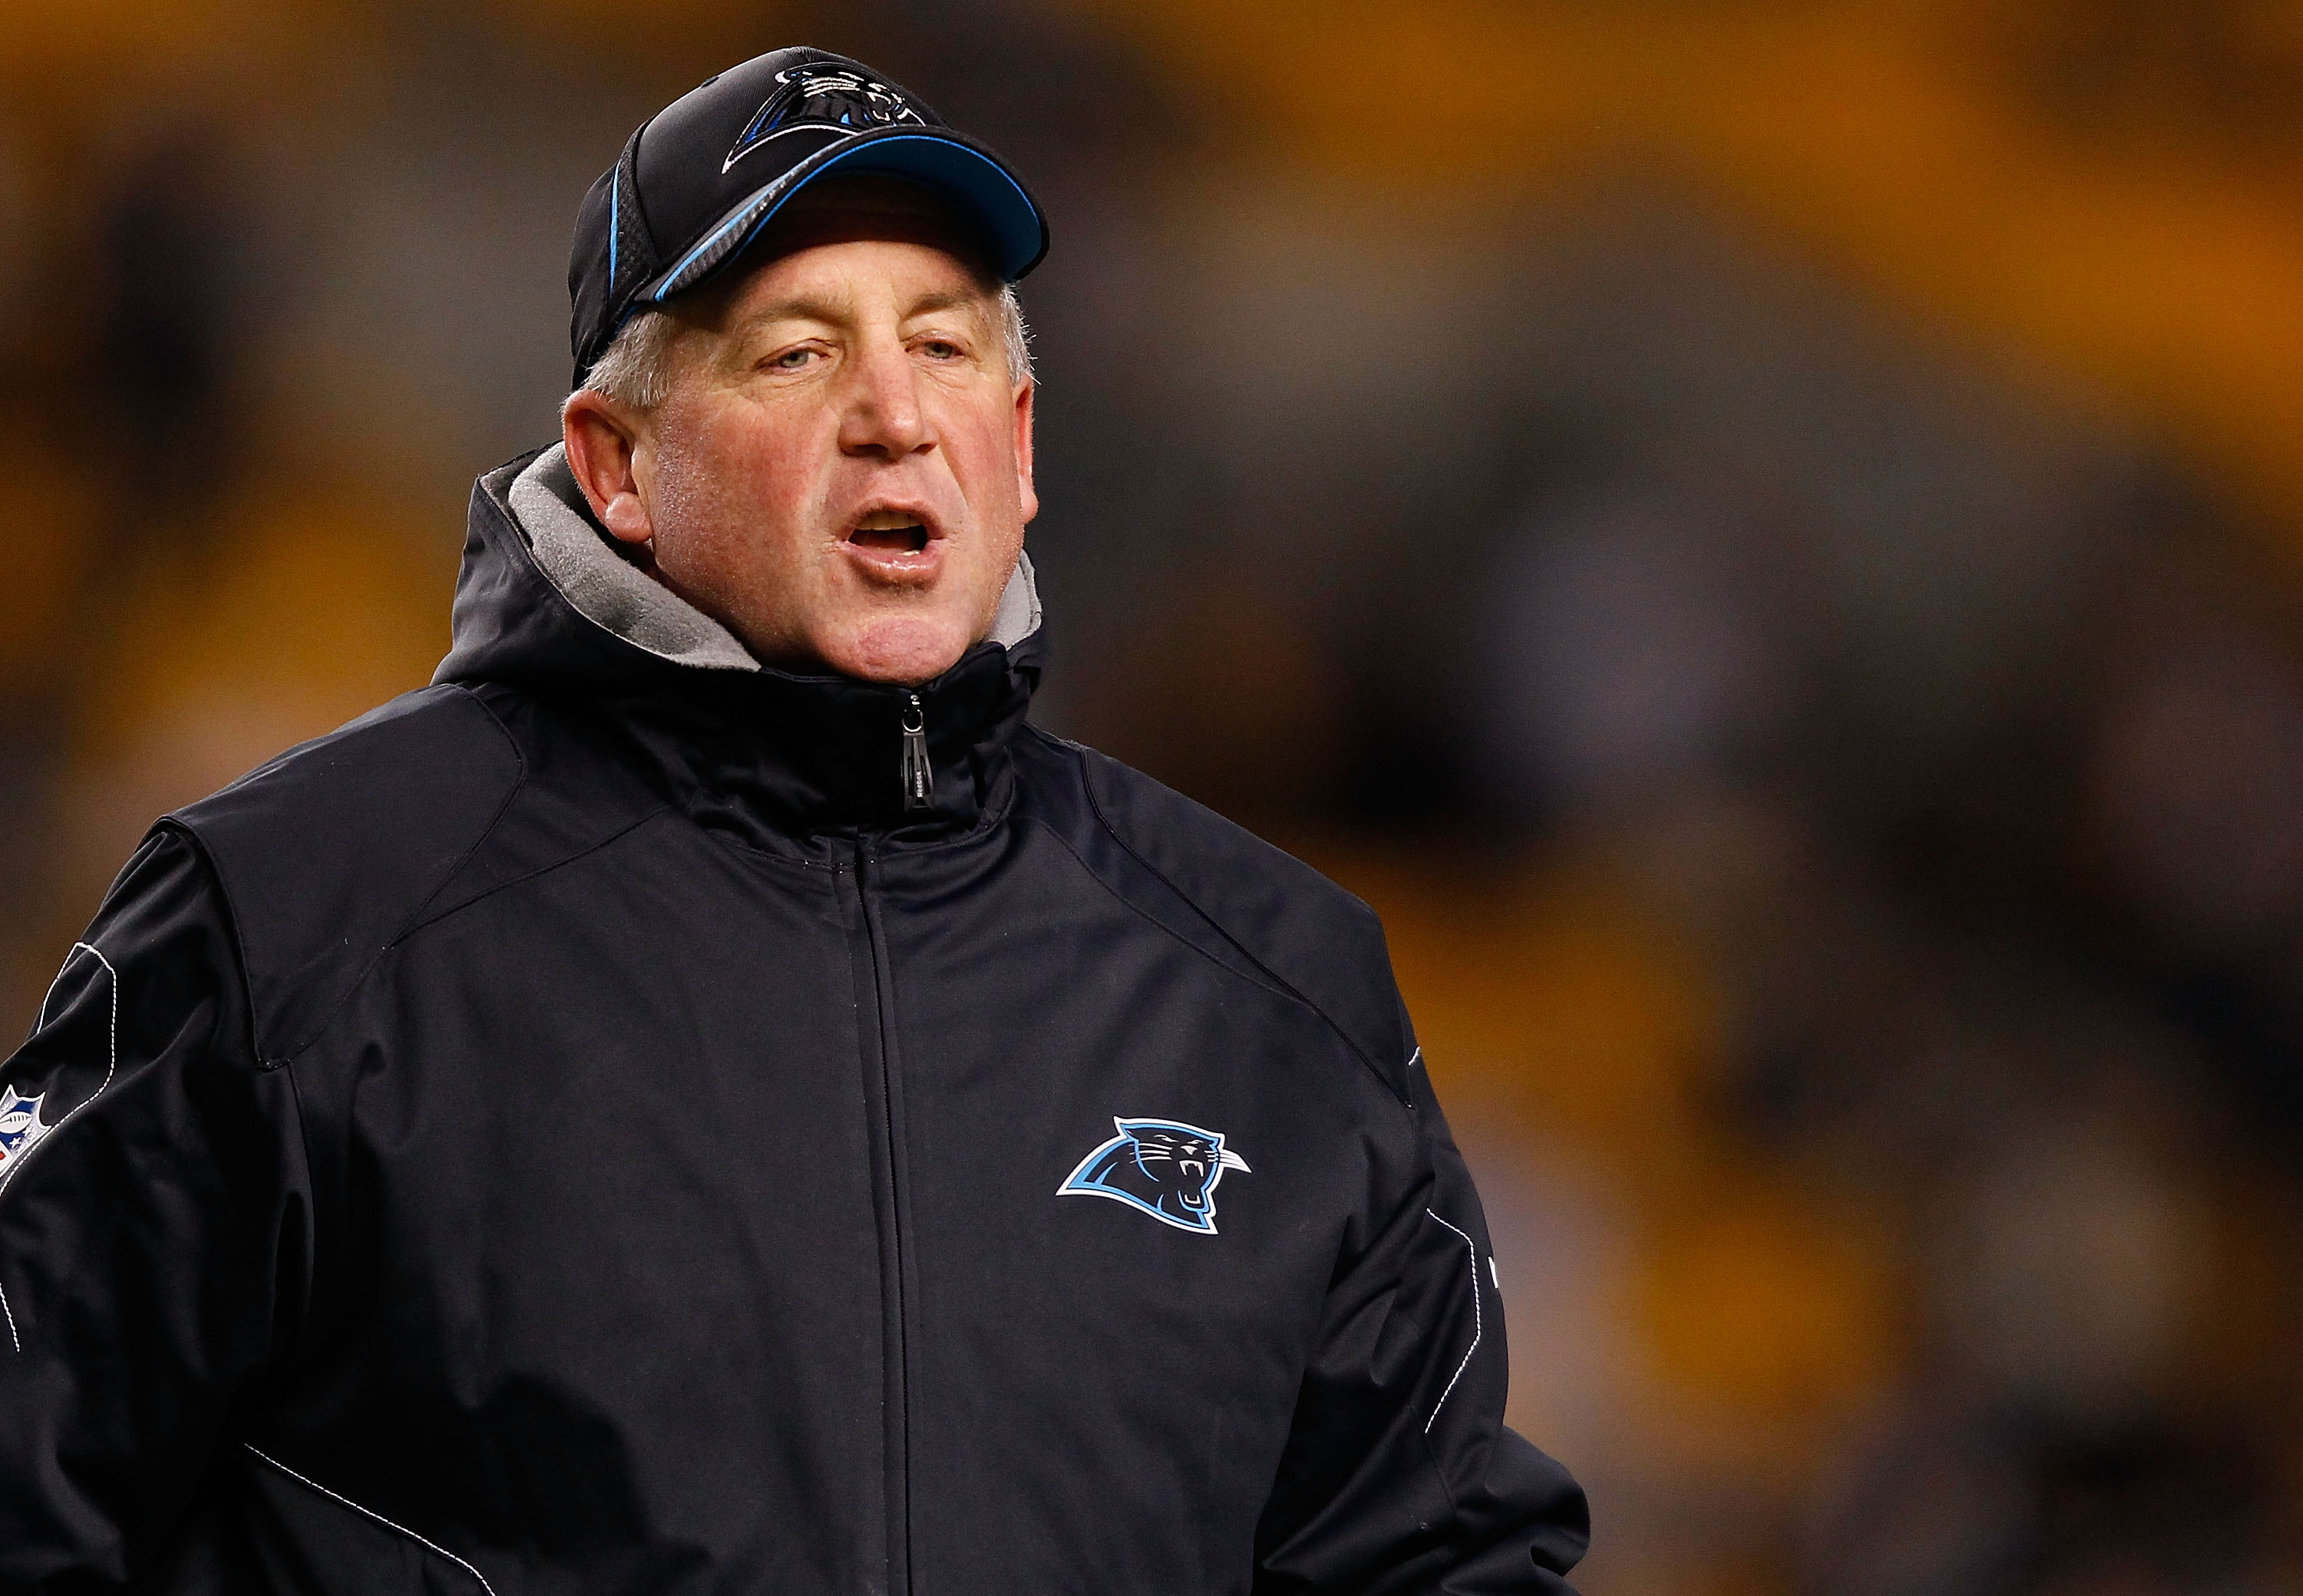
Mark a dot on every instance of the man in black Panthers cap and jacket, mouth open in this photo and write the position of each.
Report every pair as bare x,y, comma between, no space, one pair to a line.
706,1097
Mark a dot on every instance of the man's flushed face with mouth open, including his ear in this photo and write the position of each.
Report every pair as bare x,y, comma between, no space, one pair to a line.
842,471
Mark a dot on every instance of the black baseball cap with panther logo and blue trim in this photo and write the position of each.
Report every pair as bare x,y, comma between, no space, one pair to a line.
706,174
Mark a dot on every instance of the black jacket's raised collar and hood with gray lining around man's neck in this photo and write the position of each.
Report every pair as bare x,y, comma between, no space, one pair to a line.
545,602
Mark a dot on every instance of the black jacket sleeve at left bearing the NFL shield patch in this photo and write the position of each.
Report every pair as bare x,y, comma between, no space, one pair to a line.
151,1231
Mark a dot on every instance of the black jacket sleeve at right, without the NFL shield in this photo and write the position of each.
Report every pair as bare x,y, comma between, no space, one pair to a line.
1399,1477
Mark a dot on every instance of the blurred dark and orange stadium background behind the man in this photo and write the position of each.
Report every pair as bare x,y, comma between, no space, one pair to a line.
1821,717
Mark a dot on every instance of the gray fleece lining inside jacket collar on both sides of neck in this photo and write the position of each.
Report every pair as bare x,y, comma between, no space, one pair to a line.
618,595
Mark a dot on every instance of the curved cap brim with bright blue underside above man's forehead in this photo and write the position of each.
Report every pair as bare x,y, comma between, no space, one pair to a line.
964,172
